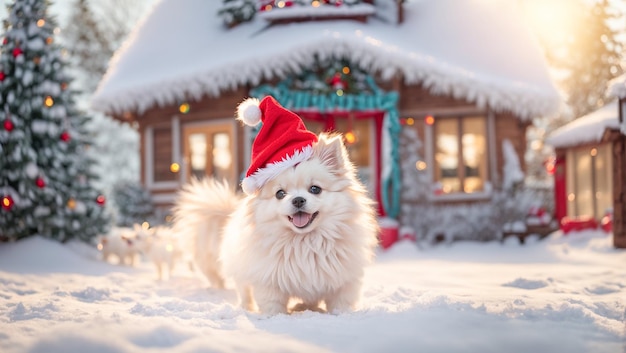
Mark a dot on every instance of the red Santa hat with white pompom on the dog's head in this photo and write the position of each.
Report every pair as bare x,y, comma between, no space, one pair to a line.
282,142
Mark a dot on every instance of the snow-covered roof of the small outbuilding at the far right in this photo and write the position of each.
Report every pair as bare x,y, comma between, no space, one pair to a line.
586,129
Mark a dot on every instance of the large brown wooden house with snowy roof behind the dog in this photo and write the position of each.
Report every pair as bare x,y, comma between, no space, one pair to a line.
466,76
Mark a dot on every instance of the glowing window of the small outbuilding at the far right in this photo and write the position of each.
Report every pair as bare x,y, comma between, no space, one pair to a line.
589,181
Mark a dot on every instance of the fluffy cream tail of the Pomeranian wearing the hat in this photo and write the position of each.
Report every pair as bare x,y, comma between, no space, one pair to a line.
200,213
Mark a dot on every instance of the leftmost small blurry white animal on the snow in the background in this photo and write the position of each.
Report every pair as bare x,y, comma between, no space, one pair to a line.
120,243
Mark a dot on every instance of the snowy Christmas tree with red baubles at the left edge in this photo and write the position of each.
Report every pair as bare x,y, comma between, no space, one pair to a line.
45,174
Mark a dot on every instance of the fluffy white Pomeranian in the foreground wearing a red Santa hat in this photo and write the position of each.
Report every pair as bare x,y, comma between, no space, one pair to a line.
304,233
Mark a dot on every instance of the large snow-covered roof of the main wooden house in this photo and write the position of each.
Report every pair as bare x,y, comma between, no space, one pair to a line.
477,50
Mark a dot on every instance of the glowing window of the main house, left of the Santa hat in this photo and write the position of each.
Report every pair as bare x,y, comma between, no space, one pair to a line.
209,151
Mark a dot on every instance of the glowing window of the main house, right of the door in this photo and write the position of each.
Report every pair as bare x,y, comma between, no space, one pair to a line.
460,154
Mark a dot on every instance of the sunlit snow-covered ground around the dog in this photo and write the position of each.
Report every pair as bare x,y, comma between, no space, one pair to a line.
565,293
